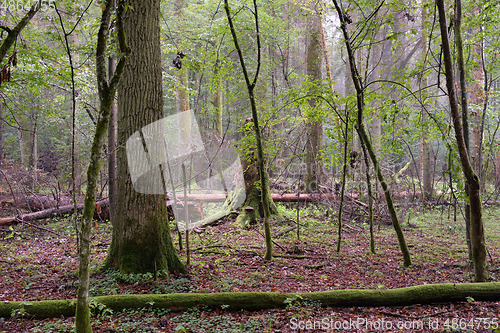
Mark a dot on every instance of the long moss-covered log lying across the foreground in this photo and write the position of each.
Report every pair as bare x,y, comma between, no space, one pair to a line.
421,294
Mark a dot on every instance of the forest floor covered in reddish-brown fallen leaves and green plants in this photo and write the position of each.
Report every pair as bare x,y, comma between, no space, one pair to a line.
36,264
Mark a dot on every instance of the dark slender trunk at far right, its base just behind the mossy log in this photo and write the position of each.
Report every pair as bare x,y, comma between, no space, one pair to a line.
476,223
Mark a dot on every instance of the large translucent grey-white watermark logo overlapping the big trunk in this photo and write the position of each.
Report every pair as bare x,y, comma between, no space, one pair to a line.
170,156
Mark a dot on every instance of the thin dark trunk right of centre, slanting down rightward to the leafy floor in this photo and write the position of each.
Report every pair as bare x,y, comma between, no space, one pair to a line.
358,86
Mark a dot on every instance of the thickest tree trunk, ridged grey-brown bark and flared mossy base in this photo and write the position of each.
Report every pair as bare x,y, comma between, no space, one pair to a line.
141,239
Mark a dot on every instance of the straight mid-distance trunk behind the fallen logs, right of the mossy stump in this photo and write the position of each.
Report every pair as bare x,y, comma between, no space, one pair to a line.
314,124
